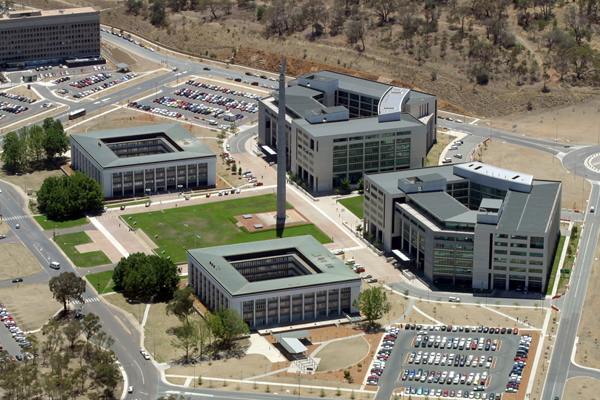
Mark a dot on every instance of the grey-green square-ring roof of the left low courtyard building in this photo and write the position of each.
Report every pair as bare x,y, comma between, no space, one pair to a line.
189,147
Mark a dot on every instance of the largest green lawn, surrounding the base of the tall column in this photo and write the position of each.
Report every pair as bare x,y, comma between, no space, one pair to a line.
177,229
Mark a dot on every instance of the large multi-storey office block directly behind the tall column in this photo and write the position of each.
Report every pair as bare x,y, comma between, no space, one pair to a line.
340,127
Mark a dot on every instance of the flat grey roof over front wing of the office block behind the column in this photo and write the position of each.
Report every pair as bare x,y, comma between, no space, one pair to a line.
357,126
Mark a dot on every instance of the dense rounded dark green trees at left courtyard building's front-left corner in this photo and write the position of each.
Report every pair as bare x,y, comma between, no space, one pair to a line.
69,197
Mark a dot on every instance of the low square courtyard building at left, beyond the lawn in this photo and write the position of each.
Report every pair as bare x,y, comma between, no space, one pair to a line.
144,160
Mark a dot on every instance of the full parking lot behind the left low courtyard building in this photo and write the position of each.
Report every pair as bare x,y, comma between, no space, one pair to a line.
215,105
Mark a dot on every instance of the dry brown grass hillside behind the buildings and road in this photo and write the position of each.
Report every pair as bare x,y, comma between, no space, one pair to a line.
240,38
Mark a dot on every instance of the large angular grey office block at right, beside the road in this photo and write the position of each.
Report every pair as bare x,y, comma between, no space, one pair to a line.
469,225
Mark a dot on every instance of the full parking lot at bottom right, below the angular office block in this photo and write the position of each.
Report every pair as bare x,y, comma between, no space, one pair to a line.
454,362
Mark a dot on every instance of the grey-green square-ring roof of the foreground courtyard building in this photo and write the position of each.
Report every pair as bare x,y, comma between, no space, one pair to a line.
333,270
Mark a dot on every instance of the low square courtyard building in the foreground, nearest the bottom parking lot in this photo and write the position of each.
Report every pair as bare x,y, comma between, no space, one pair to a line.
274,282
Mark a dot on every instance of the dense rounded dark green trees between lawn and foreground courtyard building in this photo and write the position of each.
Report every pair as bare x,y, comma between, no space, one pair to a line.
146,277
